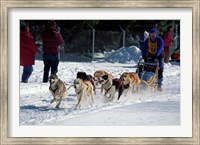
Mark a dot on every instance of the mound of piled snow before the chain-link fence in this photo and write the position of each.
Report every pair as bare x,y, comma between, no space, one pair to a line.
125,55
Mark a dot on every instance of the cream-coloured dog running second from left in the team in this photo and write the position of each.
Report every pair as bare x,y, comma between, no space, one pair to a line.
83,89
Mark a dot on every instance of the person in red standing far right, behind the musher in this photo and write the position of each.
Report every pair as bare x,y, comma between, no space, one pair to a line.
168,40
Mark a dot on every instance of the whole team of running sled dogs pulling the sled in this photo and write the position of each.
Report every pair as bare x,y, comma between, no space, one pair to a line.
85,85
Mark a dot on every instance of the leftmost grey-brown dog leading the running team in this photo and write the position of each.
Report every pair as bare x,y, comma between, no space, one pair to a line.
57,89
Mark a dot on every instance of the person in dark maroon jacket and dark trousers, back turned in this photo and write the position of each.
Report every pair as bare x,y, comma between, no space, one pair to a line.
51,39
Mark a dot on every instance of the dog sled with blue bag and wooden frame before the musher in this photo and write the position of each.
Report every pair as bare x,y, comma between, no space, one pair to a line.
148,72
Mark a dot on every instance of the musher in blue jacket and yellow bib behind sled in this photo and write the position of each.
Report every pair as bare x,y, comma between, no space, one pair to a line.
153,49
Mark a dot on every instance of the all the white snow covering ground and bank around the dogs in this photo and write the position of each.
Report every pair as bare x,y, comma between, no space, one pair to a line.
138,109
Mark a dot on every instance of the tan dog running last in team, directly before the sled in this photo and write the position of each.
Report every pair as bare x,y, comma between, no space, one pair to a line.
130,79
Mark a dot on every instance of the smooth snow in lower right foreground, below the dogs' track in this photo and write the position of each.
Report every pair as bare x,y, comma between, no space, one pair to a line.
135,111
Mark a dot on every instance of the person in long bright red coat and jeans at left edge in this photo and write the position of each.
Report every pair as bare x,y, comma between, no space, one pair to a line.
28,50
